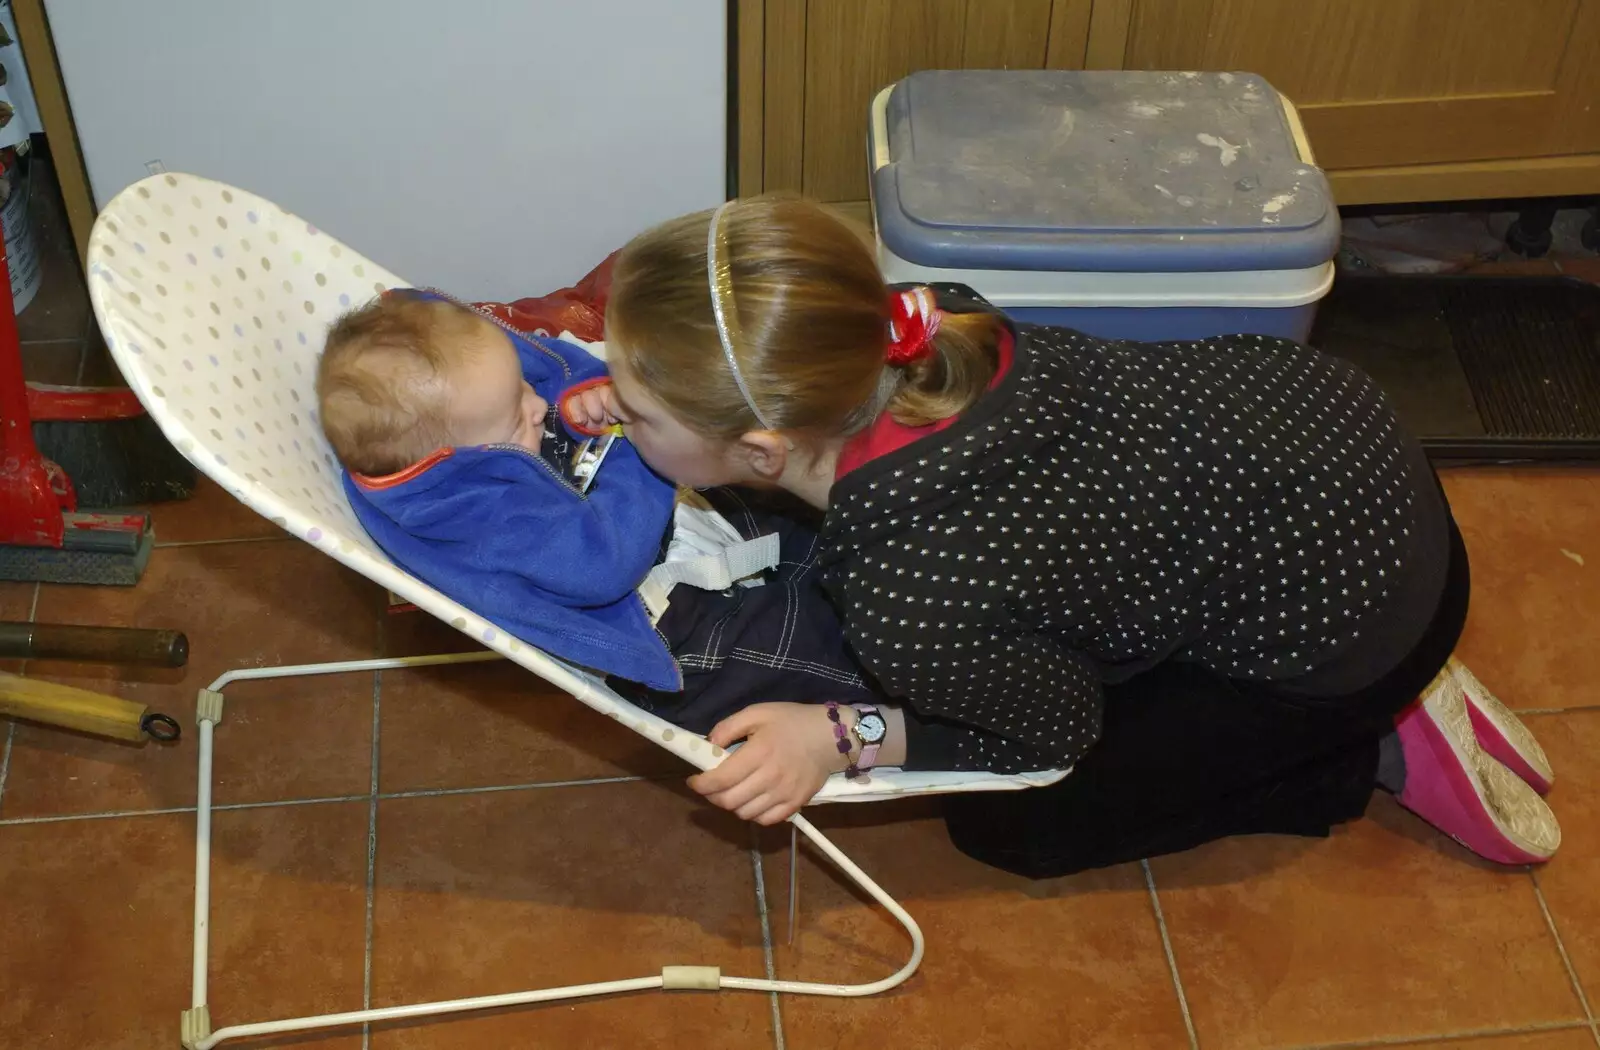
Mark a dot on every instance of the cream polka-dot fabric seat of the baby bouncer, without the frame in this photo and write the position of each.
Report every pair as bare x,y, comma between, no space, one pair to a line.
215,303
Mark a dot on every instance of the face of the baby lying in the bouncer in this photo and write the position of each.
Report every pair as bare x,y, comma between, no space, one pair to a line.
490,403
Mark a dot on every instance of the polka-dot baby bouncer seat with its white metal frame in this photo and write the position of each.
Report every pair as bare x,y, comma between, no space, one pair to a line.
215,303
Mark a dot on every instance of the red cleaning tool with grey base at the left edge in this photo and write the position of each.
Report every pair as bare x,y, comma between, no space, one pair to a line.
44,534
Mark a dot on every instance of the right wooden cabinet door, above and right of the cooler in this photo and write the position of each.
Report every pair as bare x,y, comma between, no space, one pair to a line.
1399,82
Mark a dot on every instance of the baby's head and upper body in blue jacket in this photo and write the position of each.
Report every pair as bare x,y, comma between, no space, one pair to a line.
463,475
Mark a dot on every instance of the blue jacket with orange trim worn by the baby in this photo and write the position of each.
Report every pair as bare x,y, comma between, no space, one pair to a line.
505,532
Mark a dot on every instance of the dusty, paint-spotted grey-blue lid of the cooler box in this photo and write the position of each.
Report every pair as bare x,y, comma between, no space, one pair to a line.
1145,172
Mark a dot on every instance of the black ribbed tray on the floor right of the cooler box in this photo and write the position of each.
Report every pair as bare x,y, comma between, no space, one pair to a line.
1479,367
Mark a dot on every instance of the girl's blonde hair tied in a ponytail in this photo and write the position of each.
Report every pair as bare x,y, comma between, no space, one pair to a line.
814,319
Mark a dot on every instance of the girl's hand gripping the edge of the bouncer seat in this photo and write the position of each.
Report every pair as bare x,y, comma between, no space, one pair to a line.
788,753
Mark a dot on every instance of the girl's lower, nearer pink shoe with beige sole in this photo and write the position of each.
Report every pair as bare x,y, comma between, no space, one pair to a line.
1454,785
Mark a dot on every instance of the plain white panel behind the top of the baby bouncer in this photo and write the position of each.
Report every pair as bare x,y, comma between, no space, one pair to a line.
497,151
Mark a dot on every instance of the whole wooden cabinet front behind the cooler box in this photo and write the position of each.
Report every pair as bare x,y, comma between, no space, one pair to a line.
1404,100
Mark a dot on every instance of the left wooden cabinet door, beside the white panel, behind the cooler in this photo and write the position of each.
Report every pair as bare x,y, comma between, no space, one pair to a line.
823,62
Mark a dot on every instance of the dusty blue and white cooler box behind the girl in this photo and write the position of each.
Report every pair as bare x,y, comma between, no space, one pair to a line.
1134,206
